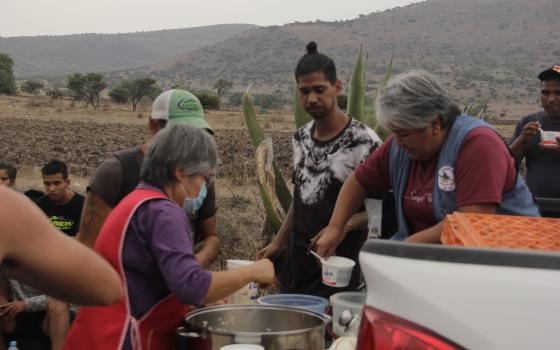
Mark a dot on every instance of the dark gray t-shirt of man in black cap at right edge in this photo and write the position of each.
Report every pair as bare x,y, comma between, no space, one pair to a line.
542,166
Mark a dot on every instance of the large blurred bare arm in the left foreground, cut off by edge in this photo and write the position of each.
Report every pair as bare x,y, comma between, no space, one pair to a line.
35,253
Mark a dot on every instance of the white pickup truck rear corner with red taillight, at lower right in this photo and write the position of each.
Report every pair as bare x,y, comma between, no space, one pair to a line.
442,297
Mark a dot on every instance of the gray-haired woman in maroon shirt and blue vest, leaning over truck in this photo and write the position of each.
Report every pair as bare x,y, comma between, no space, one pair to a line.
436,161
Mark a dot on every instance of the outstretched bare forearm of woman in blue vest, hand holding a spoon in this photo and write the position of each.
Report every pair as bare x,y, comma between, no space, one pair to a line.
350,198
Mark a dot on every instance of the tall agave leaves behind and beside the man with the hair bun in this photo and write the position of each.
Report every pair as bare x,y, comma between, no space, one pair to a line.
274,191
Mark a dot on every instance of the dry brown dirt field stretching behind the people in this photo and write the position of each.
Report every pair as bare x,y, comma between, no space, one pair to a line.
35,129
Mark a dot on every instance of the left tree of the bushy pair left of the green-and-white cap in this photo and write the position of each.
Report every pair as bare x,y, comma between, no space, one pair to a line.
86,87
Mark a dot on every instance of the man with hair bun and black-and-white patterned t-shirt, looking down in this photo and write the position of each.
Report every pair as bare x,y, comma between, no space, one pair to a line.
325,151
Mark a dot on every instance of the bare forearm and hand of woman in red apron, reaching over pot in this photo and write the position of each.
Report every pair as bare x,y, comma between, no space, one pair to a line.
225,283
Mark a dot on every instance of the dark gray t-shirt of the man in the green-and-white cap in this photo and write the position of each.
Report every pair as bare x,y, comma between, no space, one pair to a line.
107,182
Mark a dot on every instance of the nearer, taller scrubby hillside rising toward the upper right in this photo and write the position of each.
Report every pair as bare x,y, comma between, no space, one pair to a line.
480,48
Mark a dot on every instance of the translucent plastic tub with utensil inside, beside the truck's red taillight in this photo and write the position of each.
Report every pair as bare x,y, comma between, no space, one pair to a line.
347,301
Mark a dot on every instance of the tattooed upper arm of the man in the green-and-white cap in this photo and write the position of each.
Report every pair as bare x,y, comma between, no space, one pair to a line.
94,214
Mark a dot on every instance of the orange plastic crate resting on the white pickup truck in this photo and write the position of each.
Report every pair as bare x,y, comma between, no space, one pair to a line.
501,231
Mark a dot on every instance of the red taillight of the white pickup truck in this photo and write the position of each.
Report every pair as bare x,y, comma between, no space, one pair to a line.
382,331
